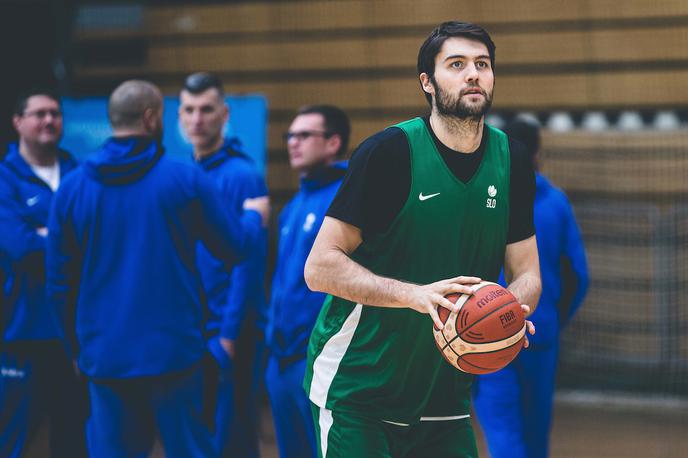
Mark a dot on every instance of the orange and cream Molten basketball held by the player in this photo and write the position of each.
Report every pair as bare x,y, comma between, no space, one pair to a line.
486,333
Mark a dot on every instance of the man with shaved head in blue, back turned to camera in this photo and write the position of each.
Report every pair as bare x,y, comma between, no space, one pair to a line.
121,267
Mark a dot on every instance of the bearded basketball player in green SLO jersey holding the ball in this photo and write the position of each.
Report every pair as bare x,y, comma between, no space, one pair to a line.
428,207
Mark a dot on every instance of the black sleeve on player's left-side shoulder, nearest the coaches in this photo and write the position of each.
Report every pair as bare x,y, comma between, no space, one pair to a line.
376,184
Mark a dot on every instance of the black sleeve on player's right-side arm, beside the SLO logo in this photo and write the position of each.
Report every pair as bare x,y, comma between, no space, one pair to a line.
521,195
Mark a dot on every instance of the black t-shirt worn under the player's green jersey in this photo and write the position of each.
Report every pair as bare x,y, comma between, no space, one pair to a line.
378,182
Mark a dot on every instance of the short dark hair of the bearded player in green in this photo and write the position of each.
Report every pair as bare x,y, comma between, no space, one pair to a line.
432,45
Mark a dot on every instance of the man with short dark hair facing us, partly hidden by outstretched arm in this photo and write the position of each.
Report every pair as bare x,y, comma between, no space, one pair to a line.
236,300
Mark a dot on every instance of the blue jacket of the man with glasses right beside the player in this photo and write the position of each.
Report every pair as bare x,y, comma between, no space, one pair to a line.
293,307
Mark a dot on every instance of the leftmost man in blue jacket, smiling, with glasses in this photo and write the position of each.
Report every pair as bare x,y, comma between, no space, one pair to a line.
36,376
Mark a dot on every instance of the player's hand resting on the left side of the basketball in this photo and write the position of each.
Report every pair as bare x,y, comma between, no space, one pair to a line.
426,298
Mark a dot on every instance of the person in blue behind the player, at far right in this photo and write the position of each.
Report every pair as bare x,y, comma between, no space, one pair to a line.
514,405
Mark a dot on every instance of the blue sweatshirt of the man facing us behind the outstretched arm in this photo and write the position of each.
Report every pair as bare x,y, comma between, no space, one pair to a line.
232,296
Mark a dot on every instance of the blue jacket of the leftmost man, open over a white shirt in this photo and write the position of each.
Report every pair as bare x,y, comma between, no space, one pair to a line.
24,207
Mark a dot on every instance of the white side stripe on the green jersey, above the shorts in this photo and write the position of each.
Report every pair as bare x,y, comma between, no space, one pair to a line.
326,364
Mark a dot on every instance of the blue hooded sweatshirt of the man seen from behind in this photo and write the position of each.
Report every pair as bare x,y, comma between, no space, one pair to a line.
121,258
